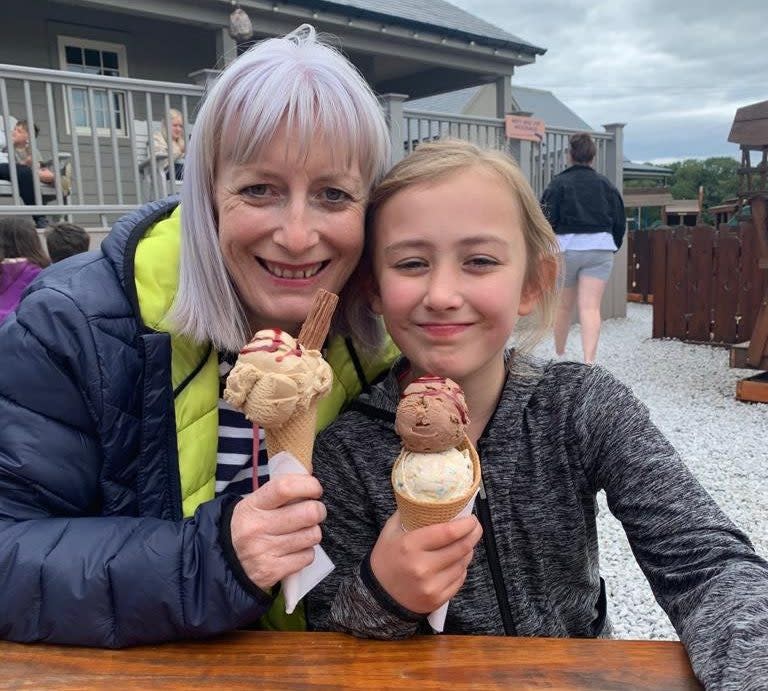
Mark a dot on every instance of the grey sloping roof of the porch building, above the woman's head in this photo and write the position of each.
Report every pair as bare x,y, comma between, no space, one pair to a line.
435,14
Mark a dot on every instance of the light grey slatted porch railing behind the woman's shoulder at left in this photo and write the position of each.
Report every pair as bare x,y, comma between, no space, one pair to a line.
105,125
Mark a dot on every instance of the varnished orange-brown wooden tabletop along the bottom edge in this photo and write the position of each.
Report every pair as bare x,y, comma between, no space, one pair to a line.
264,660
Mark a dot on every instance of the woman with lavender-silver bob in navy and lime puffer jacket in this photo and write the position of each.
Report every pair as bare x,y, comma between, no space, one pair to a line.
122,472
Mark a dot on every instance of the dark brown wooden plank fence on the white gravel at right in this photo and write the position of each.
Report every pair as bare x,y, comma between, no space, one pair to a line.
706,284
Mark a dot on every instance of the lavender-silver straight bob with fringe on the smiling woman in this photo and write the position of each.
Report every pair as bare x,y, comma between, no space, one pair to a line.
313,88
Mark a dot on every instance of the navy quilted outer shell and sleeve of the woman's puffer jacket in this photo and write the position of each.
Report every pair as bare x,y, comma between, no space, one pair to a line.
93,546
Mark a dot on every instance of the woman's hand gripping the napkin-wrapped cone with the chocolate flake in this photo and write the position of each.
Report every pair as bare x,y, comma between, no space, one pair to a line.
275,528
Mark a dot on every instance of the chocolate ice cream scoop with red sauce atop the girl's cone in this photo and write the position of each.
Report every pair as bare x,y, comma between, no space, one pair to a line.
432,415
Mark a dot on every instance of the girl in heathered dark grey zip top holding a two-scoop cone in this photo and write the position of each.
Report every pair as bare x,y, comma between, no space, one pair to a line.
458,249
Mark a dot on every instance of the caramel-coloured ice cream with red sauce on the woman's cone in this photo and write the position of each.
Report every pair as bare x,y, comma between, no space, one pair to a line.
274,377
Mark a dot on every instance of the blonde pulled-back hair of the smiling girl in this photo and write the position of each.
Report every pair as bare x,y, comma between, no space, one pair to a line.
435,161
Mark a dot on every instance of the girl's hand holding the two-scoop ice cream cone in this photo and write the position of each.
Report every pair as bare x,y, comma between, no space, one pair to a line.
426,567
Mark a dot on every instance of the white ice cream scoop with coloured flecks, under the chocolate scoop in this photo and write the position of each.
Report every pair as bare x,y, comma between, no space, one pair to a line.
433,477
